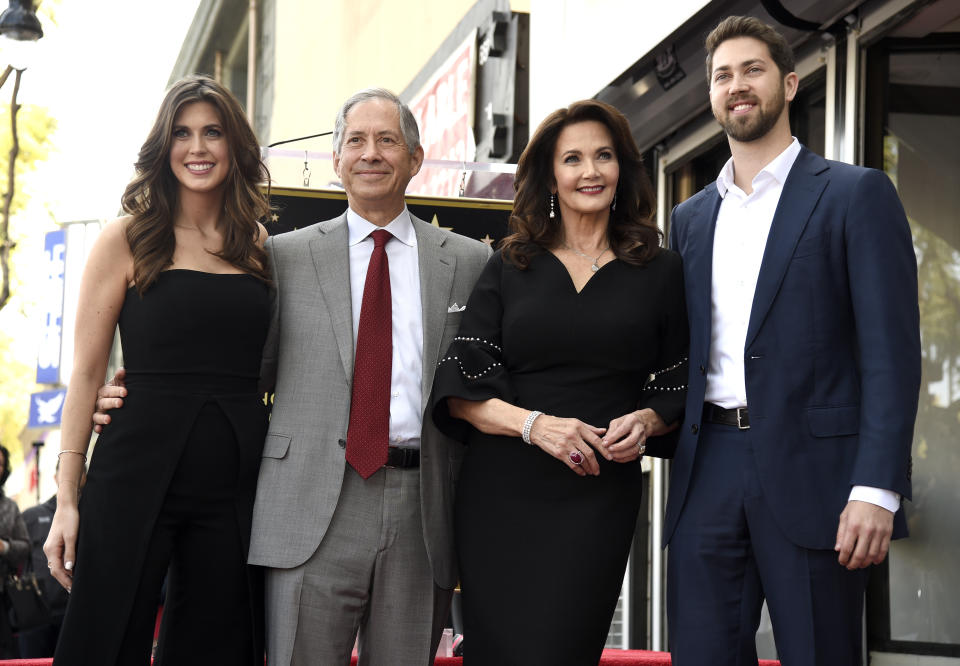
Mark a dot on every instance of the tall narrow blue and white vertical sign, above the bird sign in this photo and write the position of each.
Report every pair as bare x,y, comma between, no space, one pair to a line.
48,356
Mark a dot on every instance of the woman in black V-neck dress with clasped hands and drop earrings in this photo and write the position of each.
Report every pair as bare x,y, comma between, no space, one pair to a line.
570,363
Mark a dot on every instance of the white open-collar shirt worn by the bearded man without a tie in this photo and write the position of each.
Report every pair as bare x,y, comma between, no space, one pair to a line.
743,224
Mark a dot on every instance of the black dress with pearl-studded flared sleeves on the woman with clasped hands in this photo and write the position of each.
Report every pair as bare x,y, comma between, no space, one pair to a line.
542,551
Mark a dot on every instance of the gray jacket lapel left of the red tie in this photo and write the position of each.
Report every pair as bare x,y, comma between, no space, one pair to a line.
331,258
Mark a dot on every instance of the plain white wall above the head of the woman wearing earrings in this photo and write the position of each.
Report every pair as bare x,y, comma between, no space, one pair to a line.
579,46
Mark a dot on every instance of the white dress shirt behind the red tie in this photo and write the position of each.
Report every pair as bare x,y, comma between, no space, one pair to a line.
406,410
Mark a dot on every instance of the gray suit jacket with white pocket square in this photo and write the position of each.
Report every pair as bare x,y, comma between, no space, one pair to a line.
308,358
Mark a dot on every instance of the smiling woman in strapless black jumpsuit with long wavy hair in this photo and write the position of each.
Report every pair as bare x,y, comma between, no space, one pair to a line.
172,480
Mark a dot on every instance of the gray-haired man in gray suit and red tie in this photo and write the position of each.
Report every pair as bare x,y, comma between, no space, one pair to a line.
350,551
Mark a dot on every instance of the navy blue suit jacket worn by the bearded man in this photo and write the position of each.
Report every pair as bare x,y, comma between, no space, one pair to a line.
832,354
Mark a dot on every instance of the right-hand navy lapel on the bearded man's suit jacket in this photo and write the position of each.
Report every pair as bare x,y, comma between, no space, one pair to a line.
800,195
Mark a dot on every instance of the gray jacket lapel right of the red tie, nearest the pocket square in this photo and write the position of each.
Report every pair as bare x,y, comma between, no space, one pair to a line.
437,268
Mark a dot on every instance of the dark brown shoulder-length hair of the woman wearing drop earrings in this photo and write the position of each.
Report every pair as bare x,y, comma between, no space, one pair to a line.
633,235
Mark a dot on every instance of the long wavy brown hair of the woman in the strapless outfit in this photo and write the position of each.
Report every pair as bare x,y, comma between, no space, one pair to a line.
153,195
